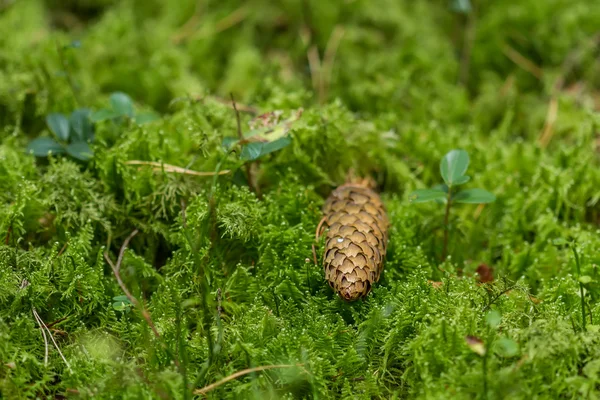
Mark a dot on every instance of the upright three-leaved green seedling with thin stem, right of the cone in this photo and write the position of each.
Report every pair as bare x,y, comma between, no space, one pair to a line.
453,168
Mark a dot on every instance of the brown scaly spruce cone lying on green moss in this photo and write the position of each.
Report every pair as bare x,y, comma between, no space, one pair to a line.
356,239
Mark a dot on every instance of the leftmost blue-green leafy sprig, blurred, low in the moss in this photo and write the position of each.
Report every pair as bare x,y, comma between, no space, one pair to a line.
72,135
